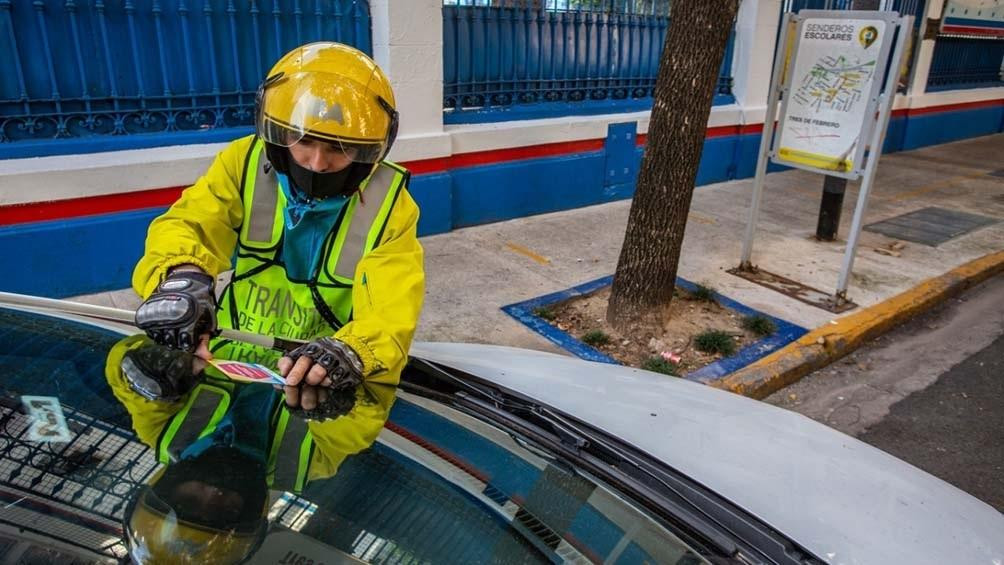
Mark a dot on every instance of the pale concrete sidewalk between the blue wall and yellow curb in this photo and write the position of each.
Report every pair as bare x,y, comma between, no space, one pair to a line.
472,273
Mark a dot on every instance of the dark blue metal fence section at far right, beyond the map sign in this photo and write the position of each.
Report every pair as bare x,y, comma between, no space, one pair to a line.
965,63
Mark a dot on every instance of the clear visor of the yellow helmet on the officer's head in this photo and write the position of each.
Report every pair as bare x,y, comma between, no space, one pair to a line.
326,108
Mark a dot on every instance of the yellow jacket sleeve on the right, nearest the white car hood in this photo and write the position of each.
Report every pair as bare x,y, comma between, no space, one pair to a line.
387,297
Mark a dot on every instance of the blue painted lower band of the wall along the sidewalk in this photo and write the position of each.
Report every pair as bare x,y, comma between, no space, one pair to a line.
98,253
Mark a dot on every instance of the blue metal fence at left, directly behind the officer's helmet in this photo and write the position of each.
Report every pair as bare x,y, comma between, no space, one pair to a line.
100,69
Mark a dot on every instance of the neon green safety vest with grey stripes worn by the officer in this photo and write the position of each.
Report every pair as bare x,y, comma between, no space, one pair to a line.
262,298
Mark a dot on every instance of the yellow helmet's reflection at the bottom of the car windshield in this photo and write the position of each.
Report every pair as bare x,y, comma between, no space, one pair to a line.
156,532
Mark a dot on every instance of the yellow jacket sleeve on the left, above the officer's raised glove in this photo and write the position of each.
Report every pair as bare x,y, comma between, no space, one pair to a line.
201,227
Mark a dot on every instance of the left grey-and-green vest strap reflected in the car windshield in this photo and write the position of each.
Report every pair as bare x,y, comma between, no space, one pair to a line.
204,409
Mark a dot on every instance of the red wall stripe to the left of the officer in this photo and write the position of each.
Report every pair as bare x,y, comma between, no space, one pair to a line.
88,206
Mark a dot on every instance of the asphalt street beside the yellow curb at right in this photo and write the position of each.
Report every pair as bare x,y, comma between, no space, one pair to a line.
930,393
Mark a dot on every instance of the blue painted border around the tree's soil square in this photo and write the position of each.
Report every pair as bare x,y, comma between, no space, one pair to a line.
525,314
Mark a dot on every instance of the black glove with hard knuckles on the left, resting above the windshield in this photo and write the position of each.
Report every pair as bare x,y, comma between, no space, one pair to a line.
180,311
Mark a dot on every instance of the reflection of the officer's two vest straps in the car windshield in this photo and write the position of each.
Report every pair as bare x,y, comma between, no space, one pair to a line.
291,448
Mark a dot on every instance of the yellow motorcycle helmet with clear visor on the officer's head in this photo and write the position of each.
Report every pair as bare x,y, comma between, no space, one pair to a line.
331,92
